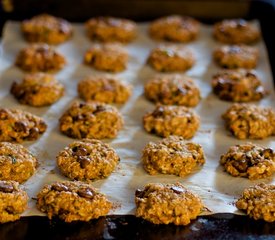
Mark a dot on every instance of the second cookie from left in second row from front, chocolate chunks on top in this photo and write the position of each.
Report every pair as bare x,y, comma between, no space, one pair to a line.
87,159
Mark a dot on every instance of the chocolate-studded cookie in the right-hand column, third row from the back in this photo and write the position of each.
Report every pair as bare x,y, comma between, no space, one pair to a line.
238,86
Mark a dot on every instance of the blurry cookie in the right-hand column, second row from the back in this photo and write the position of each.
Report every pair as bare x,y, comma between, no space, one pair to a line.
236,56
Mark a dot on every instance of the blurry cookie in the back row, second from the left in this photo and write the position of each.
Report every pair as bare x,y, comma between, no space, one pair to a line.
110,29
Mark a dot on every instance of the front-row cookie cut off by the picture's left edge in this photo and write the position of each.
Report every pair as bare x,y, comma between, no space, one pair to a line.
13,201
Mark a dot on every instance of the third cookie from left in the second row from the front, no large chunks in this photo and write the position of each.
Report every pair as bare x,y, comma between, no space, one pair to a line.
172,156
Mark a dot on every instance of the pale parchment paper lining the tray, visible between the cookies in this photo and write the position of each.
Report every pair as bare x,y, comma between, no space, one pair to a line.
218,189
